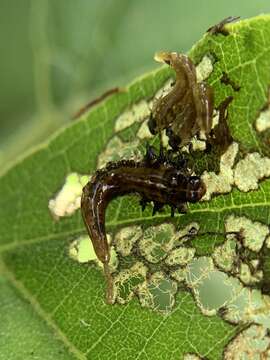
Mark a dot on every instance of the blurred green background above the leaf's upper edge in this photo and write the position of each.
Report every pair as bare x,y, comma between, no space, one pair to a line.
56,55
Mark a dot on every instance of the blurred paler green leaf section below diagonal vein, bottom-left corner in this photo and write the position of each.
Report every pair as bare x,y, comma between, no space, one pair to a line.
23,334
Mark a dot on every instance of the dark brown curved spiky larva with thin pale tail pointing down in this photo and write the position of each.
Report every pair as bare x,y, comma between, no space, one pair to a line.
159,180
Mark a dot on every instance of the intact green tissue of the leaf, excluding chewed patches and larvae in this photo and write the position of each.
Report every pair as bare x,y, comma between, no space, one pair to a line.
60,296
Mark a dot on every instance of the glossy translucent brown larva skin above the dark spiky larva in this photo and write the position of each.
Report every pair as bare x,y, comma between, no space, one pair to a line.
188,107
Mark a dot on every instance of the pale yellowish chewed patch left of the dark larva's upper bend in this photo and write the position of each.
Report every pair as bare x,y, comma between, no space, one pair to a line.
68,199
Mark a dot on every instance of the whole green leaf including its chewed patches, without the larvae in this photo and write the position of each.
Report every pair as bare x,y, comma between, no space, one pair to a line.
183,287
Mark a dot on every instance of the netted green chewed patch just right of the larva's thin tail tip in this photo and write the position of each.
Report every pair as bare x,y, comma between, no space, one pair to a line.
126,282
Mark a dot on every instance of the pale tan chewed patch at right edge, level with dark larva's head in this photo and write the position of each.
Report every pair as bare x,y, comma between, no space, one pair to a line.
250,170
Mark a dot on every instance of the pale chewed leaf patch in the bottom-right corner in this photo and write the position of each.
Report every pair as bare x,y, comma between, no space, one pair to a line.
252,343
